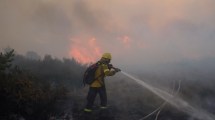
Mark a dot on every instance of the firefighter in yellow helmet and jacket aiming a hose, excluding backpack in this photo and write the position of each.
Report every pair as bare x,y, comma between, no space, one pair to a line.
98,85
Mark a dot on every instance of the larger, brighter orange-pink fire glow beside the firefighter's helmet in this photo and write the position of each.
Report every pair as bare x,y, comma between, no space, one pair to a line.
85,52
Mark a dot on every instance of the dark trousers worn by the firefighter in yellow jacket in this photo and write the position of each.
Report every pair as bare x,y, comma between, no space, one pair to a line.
92,95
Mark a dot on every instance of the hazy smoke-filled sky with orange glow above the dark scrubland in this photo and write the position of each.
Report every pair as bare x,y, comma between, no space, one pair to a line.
136,32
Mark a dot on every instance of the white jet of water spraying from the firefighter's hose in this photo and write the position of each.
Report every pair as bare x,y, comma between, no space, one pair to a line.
177,102
